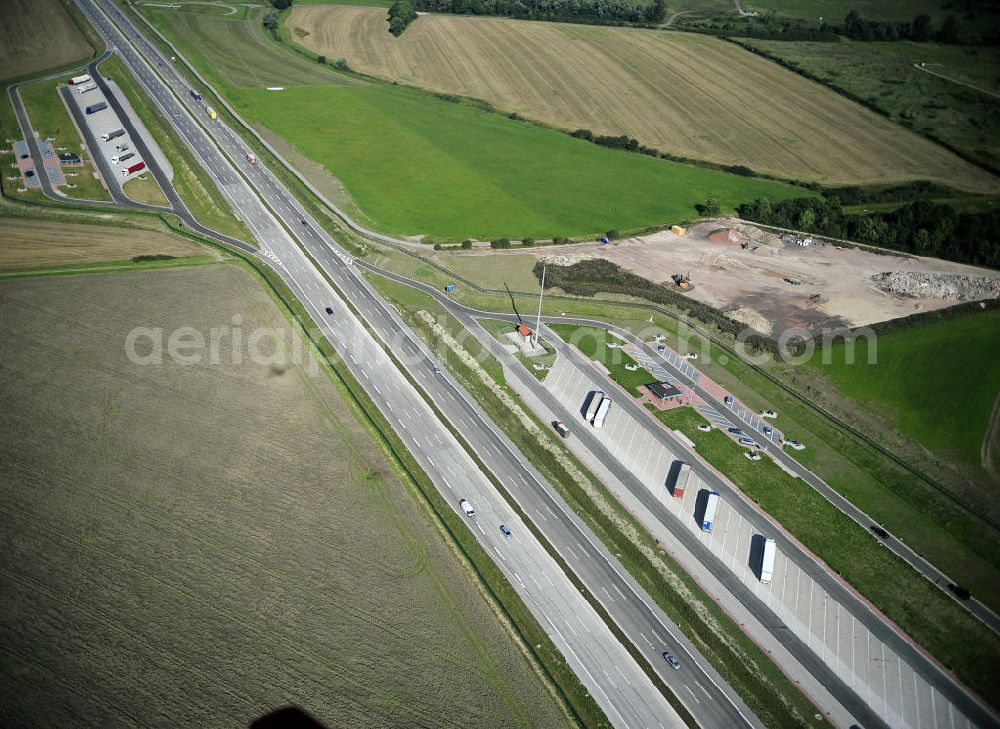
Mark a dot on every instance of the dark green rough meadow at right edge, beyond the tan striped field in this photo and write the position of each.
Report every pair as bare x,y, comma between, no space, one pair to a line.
885,75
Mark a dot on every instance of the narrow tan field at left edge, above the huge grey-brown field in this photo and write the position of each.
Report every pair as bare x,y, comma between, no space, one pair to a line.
30,243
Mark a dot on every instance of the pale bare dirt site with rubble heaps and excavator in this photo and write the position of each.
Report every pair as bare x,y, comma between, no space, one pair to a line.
836,286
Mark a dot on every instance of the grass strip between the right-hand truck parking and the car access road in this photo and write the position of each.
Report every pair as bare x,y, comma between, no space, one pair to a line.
963,644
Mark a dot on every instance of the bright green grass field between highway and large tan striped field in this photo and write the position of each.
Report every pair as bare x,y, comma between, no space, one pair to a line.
414,164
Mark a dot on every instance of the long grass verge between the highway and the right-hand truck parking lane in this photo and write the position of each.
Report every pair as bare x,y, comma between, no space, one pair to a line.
741,662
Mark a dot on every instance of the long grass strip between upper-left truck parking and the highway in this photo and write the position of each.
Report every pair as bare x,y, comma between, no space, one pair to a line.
192,183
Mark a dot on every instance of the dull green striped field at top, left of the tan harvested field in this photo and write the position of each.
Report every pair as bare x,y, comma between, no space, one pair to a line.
238,51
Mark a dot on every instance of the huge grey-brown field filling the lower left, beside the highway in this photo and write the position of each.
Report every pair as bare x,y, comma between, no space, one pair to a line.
199,545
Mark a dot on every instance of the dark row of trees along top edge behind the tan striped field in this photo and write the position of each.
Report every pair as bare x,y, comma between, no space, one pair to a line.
608,12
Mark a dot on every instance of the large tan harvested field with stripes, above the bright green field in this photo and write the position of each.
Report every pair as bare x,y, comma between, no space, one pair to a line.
687,94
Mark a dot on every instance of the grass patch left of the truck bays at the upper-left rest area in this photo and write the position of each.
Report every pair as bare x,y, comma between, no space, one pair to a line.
49,118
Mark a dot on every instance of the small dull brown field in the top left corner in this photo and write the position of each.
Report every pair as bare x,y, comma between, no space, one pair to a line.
36,35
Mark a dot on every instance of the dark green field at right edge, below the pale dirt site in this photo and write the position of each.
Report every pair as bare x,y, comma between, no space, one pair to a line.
936,382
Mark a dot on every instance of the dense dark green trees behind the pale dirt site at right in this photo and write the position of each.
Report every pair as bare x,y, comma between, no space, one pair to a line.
923,227
